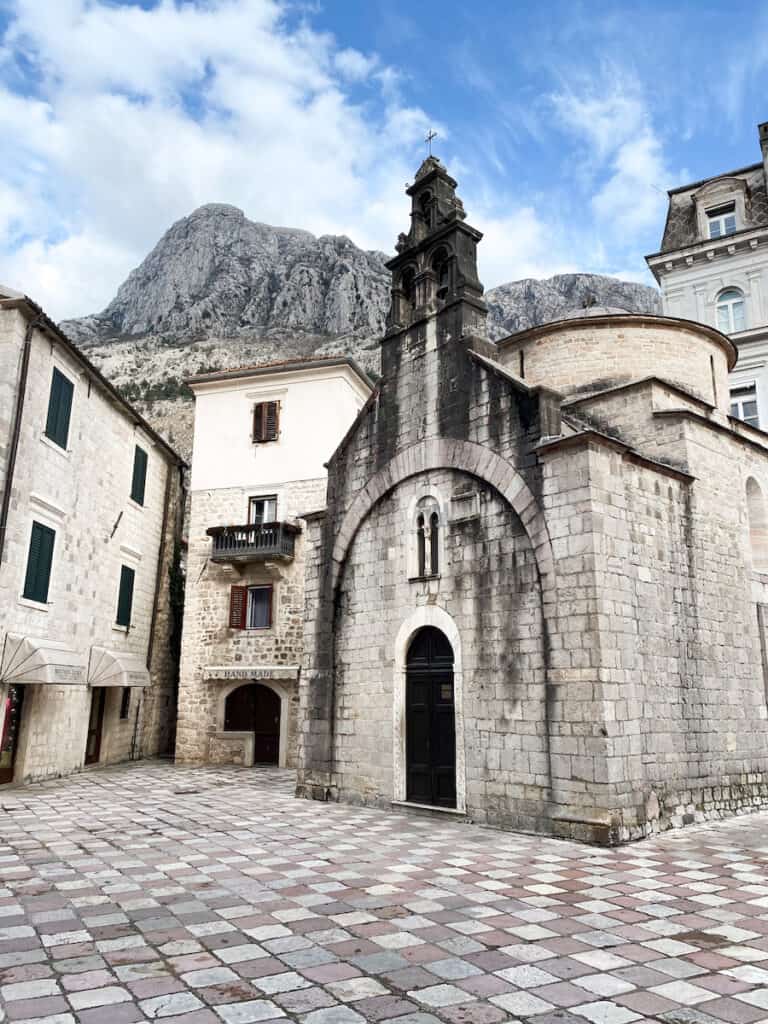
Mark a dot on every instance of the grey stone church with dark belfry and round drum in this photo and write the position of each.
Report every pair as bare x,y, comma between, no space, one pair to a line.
538,594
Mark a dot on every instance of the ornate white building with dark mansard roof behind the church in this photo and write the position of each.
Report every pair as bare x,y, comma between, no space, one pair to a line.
713,268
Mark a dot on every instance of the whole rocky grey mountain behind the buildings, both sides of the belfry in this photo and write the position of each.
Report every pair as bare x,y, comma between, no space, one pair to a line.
220,290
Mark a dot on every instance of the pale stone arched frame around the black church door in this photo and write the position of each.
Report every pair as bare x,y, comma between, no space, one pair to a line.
441,620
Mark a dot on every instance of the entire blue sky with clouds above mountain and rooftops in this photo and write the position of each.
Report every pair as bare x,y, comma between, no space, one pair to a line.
565,122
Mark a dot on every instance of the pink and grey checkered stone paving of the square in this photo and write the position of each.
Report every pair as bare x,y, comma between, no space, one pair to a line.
204,897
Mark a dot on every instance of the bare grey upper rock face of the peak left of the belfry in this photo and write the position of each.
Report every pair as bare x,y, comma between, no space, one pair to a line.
216,274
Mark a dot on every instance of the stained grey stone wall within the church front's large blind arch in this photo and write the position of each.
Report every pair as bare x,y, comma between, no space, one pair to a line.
489,586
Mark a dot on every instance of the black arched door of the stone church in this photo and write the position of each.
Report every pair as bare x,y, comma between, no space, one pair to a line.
431,720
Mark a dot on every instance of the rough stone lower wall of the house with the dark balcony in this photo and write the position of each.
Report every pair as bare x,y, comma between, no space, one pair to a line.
207,637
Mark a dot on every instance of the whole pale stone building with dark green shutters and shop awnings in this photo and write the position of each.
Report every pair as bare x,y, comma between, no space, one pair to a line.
91,507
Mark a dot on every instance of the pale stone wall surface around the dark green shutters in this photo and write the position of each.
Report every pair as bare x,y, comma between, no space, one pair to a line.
84,495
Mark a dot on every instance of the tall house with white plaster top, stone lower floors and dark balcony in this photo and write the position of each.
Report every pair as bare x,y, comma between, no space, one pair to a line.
263,437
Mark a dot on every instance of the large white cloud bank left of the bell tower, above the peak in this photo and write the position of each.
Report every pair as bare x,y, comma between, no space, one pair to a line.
141,116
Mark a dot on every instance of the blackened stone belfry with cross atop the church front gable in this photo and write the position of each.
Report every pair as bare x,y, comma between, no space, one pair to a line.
437,264
